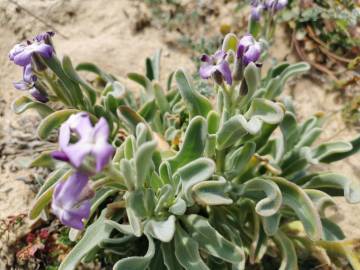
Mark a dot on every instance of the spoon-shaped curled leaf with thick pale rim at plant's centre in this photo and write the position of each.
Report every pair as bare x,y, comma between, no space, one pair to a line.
195,172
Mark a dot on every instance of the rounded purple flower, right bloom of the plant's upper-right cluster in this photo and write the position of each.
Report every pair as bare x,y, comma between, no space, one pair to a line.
248,50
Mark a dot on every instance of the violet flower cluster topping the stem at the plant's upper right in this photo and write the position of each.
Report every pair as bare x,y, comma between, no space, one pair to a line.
217,66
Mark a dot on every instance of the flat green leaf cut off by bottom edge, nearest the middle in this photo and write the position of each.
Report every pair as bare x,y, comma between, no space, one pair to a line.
187,251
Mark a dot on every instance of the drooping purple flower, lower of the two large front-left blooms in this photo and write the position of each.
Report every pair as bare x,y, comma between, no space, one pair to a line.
71,200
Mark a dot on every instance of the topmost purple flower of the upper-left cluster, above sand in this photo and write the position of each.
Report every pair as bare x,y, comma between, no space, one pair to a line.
21,54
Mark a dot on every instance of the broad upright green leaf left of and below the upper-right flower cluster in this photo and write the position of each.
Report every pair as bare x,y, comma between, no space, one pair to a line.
196,103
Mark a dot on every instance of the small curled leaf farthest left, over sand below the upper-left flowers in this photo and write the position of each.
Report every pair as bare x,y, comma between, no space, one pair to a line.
24,103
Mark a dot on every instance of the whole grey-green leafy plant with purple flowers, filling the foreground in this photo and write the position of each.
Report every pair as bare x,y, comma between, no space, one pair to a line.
169,179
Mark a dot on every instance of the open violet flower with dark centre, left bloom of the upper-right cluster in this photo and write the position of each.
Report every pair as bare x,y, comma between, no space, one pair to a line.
216,66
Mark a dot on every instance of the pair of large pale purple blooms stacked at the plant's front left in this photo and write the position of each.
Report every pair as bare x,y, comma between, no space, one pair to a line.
71,198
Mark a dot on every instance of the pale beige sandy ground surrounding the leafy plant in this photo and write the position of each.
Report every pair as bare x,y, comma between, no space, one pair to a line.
101,31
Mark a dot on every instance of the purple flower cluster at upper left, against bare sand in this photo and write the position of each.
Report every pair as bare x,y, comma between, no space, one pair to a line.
22,54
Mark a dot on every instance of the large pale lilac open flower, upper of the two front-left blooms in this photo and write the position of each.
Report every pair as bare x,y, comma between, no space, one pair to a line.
91,141
